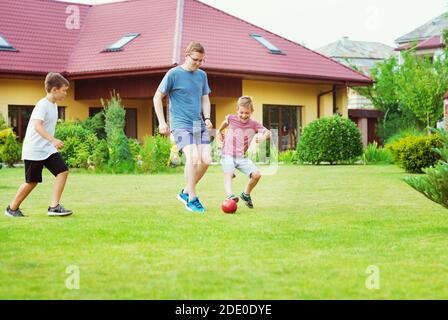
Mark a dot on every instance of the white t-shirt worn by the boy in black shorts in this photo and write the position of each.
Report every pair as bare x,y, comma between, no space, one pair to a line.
35,147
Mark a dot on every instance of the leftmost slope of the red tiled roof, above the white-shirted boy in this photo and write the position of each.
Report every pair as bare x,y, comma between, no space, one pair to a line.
37,29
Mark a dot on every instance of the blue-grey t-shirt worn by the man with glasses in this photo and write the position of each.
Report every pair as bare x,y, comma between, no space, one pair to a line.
185,90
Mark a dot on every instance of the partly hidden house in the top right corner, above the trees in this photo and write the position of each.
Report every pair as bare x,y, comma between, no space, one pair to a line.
427,40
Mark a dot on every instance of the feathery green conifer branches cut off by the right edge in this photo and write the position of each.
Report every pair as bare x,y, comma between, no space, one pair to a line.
434,185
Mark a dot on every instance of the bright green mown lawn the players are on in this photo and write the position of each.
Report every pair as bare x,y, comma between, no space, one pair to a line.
312,235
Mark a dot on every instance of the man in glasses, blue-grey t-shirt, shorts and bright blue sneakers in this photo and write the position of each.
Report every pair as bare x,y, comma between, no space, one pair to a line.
188,91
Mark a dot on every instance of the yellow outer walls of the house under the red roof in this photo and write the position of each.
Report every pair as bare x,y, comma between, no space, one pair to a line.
28,92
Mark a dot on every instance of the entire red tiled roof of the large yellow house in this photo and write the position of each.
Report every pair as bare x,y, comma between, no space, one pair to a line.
165,28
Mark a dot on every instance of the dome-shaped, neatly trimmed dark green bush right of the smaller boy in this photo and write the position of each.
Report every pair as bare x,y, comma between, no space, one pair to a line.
332,139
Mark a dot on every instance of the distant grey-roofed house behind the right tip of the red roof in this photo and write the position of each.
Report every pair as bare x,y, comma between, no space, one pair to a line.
363,56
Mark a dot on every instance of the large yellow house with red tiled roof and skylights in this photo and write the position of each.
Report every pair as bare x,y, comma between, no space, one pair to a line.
128,46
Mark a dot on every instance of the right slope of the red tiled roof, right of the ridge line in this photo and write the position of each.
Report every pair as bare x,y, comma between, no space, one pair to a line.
229,46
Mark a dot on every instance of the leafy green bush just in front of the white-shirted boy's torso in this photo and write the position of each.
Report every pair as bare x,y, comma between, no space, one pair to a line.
79,143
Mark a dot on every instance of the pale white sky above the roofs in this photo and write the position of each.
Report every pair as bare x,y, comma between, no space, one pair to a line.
319,22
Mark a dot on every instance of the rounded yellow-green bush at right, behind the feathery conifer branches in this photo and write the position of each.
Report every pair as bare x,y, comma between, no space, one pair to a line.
413,153
